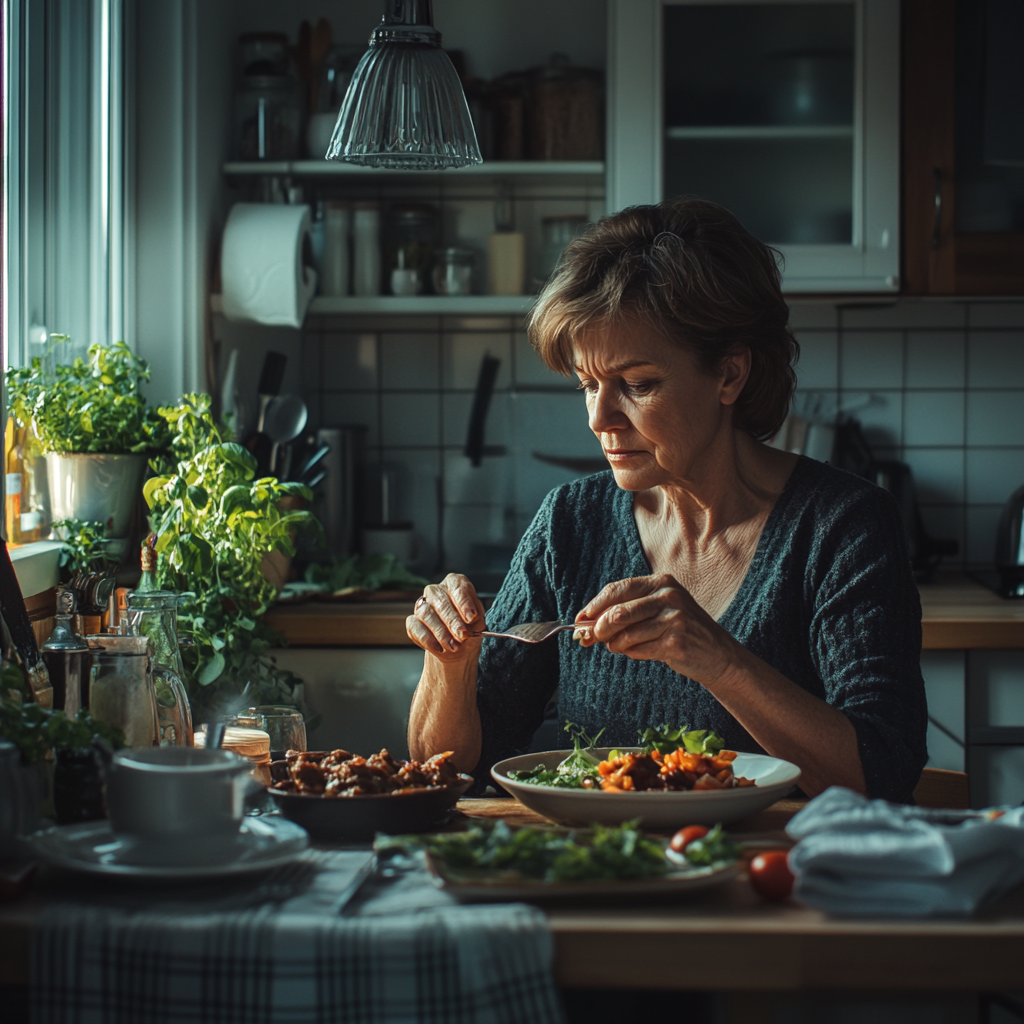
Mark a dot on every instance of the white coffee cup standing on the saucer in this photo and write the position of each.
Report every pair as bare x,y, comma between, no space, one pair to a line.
178,805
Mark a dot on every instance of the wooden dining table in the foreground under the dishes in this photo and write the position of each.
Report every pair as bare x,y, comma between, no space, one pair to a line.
726,940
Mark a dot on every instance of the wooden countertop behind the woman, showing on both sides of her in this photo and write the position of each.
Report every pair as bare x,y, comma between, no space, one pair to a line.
958,614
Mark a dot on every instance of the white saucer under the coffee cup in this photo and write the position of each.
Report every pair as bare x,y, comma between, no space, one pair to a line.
92,848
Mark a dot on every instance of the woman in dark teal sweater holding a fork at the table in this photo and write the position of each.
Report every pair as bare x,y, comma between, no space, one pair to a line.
730,586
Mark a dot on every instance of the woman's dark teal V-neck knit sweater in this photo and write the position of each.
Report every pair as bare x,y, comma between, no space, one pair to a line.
830,601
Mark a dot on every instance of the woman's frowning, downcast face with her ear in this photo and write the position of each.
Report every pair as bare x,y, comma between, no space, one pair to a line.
657,415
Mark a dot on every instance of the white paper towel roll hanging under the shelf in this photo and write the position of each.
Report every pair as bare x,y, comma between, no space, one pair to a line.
267,264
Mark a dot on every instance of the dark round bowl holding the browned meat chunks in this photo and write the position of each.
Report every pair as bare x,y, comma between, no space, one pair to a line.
360,819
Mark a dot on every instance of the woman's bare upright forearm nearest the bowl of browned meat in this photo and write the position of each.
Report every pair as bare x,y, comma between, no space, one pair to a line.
444,715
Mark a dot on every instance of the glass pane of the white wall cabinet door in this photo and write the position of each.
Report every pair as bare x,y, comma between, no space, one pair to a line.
758,109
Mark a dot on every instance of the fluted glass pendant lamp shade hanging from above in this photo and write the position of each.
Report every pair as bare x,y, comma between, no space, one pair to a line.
405,107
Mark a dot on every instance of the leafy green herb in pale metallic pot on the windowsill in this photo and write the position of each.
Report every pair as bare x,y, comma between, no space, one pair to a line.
91,420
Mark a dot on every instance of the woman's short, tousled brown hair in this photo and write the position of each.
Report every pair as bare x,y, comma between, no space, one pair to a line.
690,271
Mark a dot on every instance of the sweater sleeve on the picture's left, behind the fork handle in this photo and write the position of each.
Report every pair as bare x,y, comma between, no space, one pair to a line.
517,680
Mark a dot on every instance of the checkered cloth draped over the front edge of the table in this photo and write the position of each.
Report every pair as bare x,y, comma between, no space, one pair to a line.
289,957
